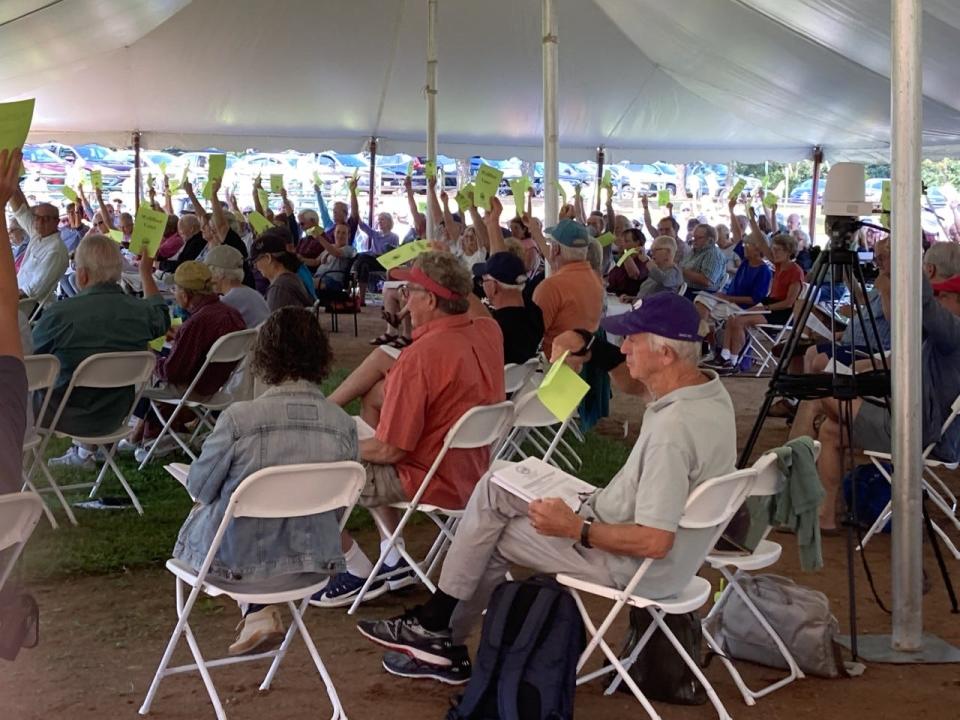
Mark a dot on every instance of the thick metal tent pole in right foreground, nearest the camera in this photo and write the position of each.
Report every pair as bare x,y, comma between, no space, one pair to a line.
905,113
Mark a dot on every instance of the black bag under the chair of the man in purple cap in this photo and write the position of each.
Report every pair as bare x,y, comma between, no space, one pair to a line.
660,672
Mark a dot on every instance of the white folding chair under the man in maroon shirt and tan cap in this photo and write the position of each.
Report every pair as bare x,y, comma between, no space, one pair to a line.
231,348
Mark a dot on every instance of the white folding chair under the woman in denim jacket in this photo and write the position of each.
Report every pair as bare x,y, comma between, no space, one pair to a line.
286,491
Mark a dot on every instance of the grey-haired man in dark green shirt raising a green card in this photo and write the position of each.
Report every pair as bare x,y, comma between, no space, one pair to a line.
99,318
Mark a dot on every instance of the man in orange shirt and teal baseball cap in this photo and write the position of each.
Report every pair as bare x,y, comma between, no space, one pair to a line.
572,295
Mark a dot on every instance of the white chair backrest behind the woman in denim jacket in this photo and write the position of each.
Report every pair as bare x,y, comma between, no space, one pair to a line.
288,491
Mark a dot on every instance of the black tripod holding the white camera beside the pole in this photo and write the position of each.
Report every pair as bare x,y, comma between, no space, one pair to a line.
838,262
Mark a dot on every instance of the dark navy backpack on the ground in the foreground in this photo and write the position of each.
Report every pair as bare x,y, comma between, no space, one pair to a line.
526,666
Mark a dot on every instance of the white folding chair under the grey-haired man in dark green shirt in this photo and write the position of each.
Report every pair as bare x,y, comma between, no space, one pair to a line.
106,371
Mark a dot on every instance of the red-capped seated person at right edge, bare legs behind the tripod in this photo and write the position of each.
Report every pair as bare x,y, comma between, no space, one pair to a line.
940,375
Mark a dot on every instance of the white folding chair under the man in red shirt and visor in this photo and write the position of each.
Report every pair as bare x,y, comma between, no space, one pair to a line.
482,426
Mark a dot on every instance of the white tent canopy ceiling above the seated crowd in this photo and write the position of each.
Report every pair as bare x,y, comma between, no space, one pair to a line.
749,80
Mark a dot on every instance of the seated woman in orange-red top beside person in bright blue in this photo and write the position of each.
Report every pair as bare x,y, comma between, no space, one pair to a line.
778,307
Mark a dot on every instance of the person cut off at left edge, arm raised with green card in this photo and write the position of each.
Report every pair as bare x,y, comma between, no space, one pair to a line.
13,375
